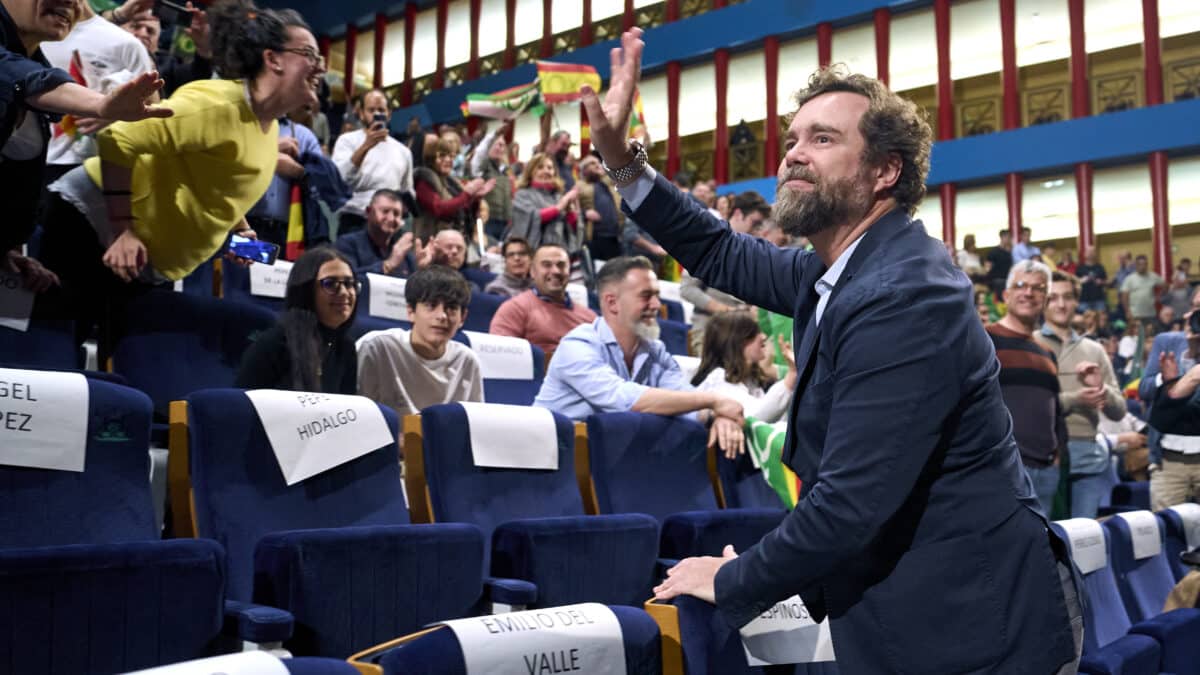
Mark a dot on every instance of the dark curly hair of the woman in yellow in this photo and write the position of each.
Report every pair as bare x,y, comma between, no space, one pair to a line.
241,32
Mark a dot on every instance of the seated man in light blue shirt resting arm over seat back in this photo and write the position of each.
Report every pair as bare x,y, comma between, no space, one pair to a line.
619,365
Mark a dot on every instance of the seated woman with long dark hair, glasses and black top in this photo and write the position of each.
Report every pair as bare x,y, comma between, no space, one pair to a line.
310,349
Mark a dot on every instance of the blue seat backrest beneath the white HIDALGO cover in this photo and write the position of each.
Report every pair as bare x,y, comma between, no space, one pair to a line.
241,494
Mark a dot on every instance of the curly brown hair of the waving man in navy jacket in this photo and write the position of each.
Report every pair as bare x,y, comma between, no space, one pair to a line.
892,126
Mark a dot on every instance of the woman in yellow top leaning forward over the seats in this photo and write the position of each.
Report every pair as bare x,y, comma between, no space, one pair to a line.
164,194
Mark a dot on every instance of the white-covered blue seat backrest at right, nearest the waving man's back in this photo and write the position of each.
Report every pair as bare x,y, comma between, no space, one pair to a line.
1105,614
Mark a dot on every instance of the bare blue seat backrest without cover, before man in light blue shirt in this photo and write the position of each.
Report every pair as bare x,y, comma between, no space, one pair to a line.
650,464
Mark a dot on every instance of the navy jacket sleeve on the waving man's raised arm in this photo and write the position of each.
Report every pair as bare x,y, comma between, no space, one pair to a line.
753,270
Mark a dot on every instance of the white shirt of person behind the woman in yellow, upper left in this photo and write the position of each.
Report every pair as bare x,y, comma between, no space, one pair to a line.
109,58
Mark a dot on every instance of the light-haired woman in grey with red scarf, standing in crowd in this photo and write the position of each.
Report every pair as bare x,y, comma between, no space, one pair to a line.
543,213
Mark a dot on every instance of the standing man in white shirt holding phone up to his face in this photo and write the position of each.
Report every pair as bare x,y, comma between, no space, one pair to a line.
371,160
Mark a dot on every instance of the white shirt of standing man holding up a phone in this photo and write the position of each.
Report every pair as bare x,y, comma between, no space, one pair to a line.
389,165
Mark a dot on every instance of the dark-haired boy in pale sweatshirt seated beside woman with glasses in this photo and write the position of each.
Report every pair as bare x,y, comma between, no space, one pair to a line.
411,371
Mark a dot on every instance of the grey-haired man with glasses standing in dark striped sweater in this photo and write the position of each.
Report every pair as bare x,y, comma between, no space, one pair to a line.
1029,378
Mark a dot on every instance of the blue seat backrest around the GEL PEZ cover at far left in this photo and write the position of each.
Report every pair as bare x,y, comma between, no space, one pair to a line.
107,503
